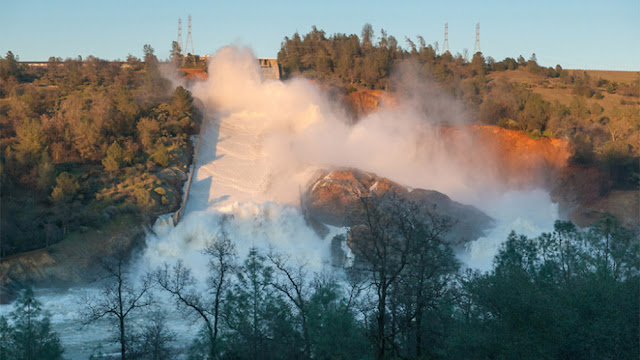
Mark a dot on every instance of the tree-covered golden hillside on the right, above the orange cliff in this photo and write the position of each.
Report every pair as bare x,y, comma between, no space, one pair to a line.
515,94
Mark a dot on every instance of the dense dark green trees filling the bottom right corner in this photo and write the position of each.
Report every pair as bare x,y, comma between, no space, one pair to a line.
562,295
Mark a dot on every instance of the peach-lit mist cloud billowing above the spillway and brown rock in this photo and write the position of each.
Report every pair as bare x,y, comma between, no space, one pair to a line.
302,128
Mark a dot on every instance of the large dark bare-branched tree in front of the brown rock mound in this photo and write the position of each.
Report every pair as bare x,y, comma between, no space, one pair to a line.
400,249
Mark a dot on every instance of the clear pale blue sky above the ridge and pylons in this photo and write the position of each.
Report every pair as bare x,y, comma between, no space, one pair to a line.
584,34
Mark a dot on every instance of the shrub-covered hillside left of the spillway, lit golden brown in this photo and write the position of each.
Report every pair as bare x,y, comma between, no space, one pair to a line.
83,141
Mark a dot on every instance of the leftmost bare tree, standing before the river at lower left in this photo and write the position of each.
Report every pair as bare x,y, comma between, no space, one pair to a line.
119,297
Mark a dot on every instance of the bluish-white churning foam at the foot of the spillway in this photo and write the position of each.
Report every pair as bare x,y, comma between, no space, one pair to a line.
266,226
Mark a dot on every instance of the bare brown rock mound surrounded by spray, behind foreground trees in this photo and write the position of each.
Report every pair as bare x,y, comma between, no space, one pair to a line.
335,198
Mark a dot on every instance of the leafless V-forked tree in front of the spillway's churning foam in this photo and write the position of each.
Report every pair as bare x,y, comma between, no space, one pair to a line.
179,282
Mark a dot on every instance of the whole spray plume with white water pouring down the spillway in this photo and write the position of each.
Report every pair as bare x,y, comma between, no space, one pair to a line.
265,140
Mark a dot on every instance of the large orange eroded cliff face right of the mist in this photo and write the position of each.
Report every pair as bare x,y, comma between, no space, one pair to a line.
582,193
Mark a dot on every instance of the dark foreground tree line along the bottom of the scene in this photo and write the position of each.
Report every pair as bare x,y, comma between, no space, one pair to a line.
568,294
